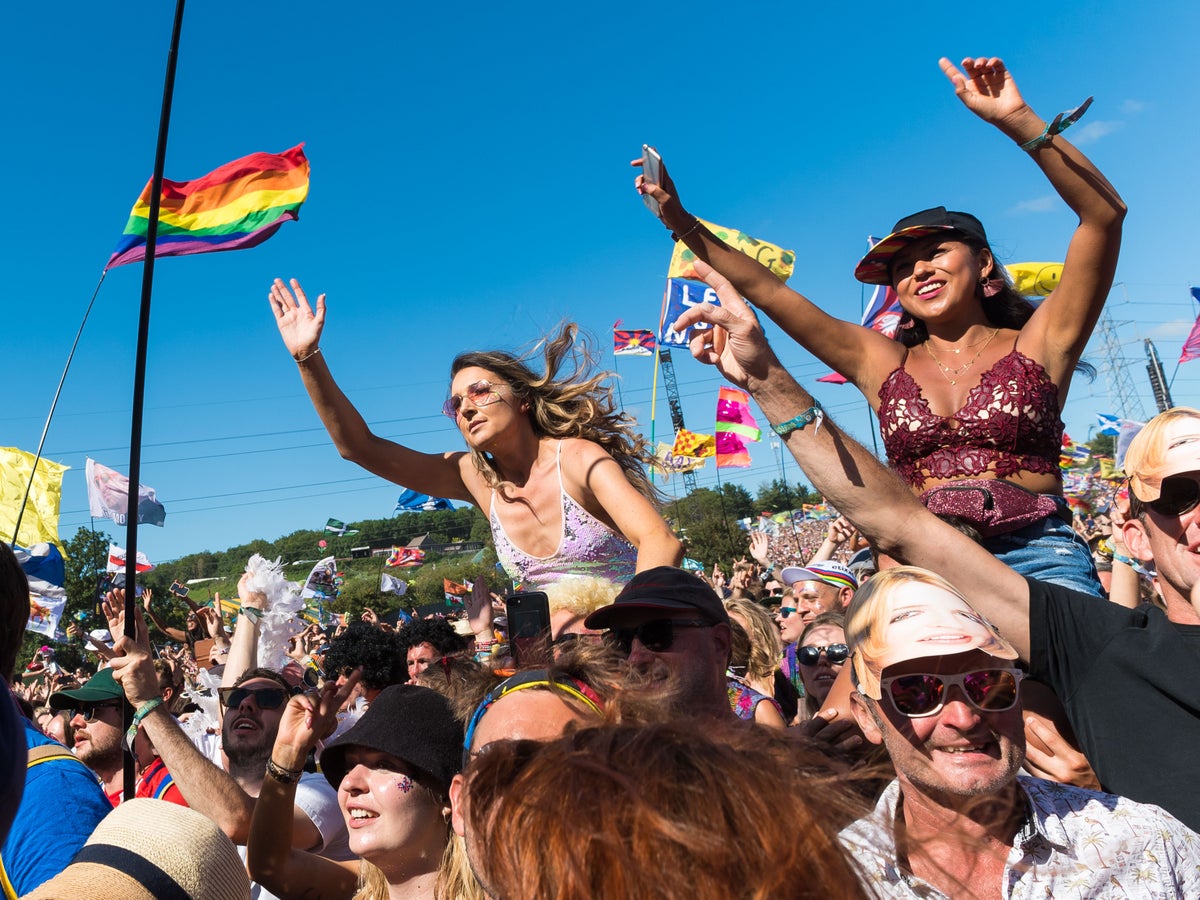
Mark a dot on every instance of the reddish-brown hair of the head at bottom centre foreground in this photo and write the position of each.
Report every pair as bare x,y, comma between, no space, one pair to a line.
669,811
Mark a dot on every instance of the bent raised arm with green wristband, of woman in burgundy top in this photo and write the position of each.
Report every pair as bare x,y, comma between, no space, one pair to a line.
1063,325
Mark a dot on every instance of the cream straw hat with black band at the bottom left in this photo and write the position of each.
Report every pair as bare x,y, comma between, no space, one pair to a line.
152,850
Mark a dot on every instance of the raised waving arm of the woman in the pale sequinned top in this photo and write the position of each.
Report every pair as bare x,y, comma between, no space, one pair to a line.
301,327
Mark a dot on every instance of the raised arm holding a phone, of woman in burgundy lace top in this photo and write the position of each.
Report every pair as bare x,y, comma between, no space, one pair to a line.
862,356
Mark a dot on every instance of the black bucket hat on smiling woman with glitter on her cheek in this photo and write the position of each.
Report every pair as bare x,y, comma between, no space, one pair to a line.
413,724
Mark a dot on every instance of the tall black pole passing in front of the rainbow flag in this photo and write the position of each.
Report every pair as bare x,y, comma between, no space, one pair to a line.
140,364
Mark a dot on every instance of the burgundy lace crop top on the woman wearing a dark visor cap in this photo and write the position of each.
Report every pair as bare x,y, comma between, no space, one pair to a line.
1011,423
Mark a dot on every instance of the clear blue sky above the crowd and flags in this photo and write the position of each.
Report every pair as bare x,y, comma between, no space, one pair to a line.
471,190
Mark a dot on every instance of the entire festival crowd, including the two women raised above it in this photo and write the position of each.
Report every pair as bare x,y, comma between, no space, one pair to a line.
955,689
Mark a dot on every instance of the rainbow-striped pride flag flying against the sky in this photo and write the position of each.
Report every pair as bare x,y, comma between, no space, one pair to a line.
239,205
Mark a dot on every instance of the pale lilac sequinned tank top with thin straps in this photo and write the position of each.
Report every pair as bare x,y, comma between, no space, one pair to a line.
587,547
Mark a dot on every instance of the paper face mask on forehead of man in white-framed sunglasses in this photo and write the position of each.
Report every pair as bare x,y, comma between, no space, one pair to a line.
945,625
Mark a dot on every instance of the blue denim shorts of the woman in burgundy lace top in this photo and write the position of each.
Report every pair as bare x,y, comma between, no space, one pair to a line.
1049,550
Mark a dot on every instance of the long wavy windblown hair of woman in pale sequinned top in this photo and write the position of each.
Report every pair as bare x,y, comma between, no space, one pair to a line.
569,400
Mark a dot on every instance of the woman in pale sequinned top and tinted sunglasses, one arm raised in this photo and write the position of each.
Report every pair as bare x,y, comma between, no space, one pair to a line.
550,460
